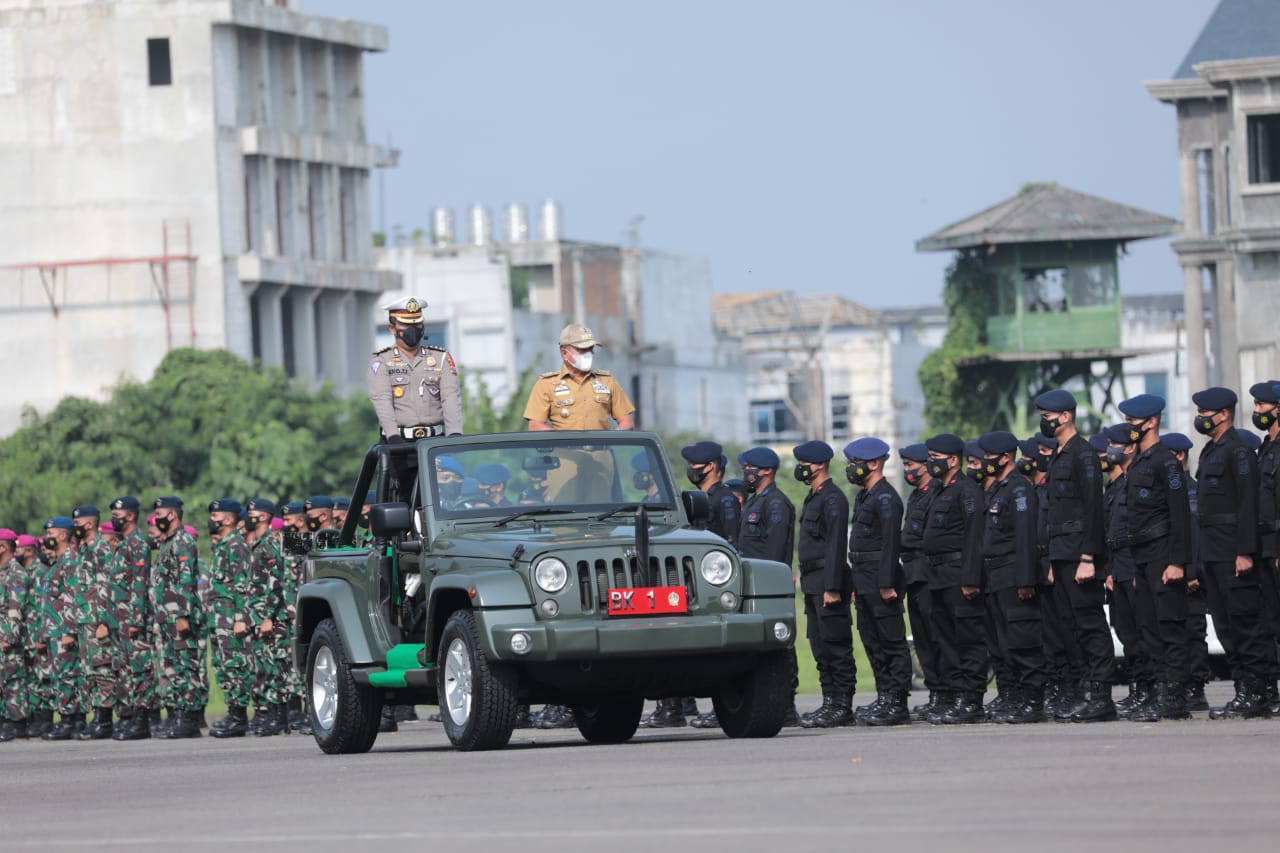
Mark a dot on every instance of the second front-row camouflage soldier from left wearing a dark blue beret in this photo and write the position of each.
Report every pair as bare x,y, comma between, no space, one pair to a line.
98,632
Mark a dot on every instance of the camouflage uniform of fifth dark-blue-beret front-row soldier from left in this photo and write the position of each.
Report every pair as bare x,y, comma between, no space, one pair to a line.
230,591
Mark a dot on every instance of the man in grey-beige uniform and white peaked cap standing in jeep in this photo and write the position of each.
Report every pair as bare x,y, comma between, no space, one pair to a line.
414,389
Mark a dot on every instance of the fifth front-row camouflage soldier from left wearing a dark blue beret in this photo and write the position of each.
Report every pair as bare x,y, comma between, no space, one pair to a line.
228,615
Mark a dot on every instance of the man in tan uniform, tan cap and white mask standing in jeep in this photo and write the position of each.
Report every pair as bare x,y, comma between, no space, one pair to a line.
578,396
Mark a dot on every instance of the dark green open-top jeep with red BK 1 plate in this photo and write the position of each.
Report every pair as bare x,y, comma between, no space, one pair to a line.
577,576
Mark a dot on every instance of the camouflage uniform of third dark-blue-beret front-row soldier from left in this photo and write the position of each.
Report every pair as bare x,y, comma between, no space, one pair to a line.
131,571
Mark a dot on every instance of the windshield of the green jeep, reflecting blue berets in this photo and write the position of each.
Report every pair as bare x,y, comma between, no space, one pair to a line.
559,475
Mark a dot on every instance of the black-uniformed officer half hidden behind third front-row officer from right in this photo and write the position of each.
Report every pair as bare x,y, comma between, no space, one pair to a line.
1122,569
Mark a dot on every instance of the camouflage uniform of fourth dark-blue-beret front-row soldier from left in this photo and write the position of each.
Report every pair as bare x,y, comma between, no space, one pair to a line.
175,595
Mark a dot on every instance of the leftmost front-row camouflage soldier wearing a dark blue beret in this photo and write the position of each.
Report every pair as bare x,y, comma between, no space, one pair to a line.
61,626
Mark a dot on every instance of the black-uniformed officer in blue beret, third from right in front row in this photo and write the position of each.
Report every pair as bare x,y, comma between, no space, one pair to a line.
1160,540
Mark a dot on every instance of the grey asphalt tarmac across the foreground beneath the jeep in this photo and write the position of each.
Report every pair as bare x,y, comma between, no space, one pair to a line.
1196,786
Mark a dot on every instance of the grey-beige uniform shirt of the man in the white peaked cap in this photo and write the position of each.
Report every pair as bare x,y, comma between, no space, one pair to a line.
415,391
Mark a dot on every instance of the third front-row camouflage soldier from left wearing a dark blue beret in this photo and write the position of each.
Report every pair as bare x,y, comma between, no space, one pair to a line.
131,573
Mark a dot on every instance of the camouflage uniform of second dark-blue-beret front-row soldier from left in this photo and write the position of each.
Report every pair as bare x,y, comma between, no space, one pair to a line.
97,605
